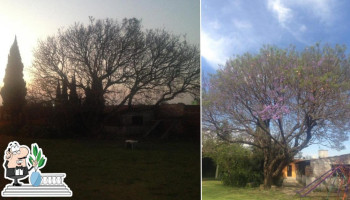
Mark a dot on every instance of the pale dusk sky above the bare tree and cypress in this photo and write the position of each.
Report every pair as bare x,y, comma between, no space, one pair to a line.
35,20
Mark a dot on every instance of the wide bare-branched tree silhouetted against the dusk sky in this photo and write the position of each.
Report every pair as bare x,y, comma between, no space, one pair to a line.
117,62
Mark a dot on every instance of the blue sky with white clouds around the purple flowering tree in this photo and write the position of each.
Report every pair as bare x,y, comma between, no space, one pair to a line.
234,27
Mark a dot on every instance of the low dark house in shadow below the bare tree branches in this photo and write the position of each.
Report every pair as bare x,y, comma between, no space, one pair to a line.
178,120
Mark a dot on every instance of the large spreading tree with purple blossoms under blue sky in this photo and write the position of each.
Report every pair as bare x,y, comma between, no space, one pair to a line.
280,101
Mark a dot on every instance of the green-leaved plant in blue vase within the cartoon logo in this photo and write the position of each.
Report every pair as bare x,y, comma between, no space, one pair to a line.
35,178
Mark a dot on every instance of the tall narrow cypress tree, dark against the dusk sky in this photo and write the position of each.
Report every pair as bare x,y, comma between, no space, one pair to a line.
14,91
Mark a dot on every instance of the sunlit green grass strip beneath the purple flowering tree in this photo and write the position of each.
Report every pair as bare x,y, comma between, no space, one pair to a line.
215,190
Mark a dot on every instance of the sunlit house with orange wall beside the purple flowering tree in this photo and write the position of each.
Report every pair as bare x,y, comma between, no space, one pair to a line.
307,171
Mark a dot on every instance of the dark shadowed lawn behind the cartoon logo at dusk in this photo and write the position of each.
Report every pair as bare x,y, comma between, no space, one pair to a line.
107,170
